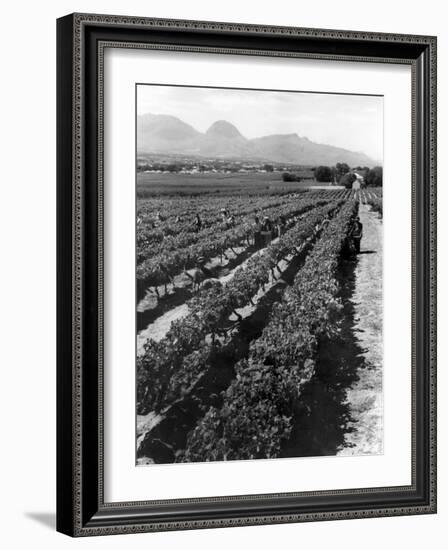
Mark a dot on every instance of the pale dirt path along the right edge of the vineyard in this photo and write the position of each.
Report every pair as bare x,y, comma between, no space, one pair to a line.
365,397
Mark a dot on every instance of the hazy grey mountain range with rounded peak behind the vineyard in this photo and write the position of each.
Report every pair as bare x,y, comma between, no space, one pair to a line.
165,134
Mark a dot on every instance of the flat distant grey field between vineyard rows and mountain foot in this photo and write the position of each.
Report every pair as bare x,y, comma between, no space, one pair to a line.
150,184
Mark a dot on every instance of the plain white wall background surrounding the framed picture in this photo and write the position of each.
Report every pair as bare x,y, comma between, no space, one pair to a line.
27,289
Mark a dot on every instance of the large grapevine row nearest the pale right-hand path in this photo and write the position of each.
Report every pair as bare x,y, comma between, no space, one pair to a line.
258,406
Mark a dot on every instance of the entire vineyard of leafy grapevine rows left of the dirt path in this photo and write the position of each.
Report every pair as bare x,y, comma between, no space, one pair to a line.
231,327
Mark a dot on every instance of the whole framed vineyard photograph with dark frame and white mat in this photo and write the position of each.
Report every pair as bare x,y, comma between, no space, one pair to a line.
246,274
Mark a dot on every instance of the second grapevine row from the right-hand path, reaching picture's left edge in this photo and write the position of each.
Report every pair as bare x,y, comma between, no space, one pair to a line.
168,368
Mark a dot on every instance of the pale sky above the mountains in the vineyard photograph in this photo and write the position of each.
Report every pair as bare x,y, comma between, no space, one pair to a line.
353,122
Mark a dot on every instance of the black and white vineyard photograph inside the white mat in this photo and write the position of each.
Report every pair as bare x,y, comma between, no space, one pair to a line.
259,286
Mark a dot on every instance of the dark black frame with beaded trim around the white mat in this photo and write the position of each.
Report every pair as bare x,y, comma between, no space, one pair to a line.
81,39
